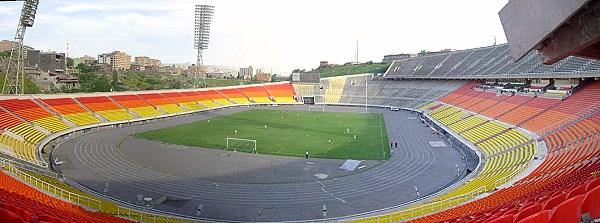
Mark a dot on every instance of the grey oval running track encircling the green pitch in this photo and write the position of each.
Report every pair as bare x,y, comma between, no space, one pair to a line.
94,159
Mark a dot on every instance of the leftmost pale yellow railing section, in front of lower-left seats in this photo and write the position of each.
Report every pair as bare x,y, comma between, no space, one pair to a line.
70,196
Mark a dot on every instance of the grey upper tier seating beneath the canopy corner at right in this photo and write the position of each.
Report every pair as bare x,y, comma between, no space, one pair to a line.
488,62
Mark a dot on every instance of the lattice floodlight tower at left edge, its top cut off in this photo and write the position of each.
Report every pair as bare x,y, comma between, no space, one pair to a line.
15,71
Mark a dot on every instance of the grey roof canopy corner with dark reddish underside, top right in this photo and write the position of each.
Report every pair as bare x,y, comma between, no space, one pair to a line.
556,28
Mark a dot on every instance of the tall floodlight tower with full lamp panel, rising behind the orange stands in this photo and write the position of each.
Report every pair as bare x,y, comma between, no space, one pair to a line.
204,14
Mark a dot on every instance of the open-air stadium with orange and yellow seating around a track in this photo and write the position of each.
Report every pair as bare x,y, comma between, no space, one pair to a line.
458,136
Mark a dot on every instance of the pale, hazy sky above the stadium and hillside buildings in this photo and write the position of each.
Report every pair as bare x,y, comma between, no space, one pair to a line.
273,34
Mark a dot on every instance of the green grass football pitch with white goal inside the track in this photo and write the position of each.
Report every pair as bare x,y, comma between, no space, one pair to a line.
288,133
